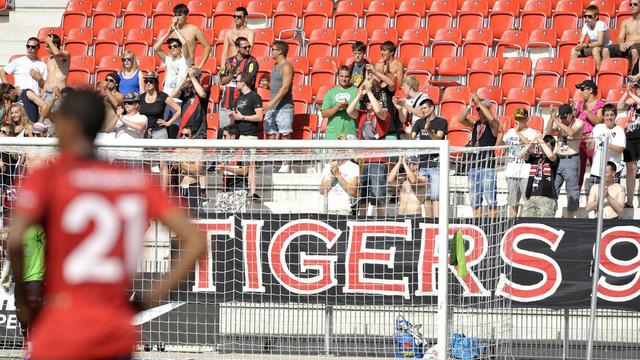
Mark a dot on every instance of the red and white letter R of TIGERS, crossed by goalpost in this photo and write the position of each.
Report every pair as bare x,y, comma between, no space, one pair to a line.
428,261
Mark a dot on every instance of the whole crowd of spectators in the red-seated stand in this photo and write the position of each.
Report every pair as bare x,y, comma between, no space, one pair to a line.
371,101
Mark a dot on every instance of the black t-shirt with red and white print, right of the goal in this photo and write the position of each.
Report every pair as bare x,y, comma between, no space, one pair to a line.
542,176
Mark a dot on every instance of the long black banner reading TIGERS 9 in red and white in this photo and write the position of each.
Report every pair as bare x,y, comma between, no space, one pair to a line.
312,258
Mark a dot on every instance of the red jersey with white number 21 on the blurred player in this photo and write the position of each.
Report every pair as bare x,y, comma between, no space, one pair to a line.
95,215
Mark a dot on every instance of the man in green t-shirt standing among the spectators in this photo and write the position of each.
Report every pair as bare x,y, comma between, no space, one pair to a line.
334,107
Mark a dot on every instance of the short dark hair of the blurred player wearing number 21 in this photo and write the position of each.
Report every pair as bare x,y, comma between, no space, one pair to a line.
86,108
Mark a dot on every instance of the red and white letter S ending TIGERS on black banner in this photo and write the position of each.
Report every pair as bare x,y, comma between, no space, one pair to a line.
530,261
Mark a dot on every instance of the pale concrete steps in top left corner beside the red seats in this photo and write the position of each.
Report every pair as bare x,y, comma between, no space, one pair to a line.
25,21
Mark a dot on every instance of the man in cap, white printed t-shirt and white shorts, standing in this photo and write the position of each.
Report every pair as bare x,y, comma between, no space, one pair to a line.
517,171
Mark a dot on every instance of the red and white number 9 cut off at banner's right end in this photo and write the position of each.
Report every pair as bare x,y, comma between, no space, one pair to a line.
617,267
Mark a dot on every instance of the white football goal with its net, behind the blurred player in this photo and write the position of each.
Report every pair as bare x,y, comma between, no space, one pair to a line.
318,248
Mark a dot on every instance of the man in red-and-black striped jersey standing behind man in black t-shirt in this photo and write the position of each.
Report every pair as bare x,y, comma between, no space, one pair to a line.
238,63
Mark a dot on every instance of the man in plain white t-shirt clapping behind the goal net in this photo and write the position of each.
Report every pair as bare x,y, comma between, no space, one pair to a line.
340,184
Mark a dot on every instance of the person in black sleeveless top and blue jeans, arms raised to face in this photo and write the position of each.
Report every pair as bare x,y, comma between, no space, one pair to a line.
481,163
